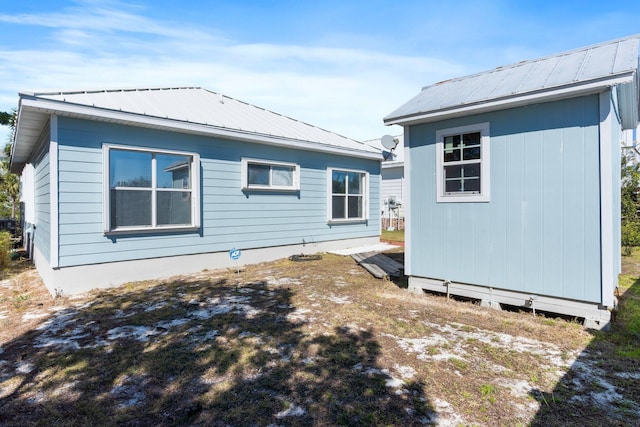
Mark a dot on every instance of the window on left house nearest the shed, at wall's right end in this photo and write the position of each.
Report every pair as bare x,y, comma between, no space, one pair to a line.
348,200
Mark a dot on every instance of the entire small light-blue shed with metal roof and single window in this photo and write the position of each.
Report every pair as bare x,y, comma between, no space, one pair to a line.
514,180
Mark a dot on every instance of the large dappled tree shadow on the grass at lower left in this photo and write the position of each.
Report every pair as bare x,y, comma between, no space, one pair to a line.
201,352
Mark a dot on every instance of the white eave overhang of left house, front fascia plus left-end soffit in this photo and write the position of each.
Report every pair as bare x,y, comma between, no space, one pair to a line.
34,113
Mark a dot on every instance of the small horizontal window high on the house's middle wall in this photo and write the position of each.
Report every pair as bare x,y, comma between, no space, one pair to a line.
268,175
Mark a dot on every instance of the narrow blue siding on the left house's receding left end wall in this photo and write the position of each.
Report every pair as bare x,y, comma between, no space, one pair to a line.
42,208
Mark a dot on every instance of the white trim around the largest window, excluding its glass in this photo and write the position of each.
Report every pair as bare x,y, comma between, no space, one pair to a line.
195,192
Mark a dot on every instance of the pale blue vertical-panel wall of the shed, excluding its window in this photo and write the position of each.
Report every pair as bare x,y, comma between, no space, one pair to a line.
540,232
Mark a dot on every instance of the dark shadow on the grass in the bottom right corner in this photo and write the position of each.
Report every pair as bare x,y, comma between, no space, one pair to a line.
603,385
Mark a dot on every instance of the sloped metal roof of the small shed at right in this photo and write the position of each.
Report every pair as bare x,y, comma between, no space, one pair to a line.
580,71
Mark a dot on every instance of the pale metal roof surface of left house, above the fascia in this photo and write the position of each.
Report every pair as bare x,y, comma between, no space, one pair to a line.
204,107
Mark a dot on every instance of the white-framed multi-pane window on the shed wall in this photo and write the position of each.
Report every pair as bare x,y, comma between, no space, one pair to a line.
462,164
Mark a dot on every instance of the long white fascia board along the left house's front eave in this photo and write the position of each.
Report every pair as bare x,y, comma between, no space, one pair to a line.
83,111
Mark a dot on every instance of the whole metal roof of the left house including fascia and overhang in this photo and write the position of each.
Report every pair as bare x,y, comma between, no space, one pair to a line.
182,109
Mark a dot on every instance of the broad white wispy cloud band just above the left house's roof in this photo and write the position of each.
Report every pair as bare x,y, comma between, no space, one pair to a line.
346,90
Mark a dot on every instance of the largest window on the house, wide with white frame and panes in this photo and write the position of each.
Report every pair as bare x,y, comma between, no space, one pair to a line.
150,190
